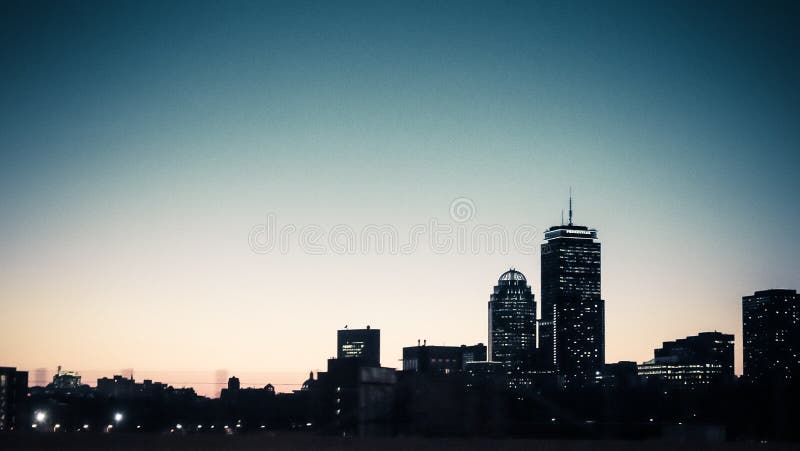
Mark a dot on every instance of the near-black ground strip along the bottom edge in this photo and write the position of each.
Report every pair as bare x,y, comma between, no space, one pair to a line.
310,442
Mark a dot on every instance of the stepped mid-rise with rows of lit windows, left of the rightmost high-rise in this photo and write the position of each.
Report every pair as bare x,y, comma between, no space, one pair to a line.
703,359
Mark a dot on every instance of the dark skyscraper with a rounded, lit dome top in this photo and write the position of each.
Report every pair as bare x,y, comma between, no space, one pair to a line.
512,320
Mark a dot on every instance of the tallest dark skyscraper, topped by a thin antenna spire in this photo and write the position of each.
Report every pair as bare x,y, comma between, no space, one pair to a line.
572,325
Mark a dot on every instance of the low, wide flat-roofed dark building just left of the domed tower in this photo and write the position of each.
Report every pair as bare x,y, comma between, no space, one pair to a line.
443,359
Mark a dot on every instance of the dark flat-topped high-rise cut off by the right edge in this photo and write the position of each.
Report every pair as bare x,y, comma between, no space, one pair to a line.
771,335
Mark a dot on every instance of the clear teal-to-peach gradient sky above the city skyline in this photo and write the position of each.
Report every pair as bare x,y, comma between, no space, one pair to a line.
140,142
